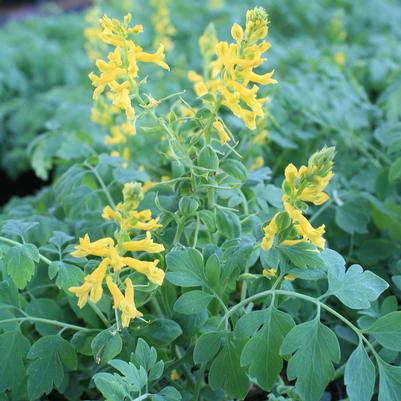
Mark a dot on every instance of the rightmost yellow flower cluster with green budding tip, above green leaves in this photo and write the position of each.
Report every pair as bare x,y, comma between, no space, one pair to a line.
304,185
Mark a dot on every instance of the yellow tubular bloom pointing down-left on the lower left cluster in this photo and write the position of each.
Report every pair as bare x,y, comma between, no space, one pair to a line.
92,285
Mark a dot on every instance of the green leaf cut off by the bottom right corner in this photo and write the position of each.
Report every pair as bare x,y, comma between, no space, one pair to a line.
390,382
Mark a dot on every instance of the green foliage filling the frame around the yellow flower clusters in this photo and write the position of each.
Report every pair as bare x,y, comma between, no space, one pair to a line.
230,318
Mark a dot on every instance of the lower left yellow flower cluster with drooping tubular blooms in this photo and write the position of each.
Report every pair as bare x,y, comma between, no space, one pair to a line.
112,254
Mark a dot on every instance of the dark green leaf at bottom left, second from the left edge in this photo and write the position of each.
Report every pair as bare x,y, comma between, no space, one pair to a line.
50,357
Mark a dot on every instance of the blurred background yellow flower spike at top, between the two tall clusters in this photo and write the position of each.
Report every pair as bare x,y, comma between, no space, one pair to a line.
162,24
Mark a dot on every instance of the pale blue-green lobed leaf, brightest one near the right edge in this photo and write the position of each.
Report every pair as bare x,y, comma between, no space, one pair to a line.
355,287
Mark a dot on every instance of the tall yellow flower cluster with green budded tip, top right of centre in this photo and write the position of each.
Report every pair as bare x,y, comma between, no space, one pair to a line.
230,76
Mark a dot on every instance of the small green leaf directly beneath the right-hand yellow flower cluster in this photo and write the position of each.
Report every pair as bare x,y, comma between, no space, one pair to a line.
303,255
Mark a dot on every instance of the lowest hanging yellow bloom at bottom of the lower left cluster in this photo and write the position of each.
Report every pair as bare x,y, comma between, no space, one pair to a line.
124,303
